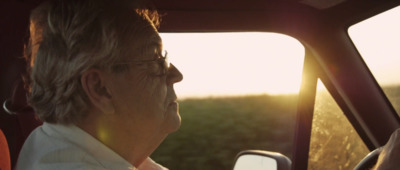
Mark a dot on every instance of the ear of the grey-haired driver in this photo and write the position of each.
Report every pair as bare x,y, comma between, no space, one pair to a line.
94,85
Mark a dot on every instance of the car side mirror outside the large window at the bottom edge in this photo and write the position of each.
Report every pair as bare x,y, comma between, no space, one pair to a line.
261,160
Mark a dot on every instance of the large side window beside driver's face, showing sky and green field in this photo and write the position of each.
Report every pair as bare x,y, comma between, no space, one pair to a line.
239,92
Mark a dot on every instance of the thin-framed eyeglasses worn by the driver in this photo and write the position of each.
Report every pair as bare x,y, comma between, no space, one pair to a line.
157,67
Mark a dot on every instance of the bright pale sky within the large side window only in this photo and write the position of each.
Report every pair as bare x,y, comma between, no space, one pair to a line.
226,64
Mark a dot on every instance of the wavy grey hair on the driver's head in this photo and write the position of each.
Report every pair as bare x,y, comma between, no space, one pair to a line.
69,37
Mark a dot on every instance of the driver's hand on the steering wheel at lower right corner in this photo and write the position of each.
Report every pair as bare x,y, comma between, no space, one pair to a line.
389,159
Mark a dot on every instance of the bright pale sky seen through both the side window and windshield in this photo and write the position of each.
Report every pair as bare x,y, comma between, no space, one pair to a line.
226,64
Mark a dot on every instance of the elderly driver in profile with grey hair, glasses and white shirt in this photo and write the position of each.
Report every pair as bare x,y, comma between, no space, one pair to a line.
101,83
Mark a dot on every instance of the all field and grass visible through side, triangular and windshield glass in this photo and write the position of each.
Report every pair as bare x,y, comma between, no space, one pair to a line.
214,130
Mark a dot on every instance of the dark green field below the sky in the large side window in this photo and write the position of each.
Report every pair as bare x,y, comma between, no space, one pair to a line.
214,130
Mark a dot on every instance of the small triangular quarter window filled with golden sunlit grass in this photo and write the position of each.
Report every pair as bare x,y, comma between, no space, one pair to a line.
334,142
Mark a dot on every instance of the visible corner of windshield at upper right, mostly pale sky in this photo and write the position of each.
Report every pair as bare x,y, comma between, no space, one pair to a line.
378,41
